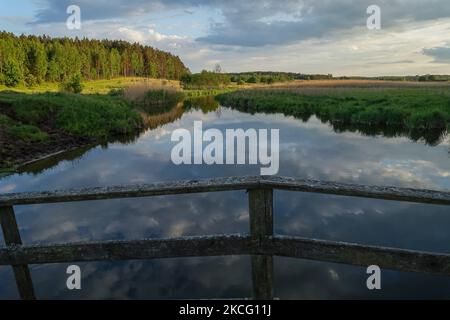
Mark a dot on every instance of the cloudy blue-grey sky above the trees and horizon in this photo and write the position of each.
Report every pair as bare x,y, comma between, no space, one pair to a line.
306,36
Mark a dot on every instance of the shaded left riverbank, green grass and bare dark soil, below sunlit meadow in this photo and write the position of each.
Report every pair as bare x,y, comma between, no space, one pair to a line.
35,125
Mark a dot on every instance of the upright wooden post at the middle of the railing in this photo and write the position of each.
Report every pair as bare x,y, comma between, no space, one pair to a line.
261,226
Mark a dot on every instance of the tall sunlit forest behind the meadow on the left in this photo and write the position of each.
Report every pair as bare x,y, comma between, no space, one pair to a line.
31,60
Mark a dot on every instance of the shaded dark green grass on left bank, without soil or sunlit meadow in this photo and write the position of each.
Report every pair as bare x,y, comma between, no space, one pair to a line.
96,115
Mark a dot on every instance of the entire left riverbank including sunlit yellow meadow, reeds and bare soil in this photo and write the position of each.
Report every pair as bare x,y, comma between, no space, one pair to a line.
36,123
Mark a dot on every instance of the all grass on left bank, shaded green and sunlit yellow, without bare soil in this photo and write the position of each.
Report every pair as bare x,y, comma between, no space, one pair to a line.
99,112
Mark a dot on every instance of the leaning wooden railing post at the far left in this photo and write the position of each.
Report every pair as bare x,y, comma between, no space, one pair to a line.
12,237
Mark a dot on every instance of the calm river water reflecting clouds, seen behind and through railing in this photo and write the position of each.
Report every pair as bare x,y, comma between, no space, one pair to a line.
307,150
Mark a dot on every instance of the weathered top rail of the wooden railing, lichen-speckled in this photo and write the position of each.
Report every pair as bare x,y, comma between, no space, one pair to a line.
227,184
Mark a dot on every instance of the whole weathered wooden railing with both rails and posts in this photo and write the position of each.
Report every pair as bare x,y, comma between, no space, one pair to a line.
261,244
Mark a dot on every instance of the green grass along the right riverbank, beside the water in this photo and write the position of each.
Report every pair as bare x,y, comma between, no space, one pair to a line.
410,108
